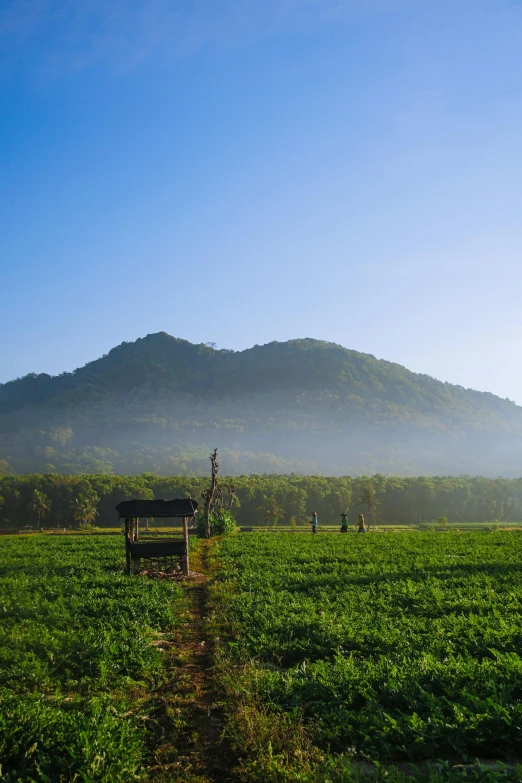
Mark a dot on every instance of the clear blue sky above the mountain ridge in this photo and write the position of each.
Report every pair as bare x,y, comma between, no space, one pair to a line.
241,171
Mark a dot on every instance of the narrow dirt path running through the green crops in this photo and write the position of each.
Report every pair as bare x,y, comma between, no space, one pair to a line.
201,755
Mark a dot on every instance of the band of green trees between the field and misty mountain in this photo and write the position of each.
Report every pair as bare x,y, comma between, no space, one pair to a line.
73,501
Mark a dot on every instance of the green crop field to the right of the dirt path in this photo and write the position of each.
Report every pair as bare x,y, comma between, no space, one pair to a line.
383,648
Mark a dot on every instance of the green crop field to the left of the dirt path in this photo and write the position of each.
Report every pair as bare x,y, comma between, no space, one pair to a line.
78,667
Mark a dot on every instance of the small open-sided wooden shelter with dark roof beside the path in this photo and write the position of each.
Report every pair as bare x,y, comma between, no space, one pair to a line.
161,551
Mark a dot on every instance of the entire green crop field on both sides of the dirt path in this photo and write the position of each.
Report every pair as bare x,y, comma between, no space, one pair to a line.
330,652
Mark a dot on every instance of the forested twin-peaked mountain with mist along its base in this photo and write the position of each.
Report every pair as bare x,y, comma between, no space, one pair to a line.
159,404
